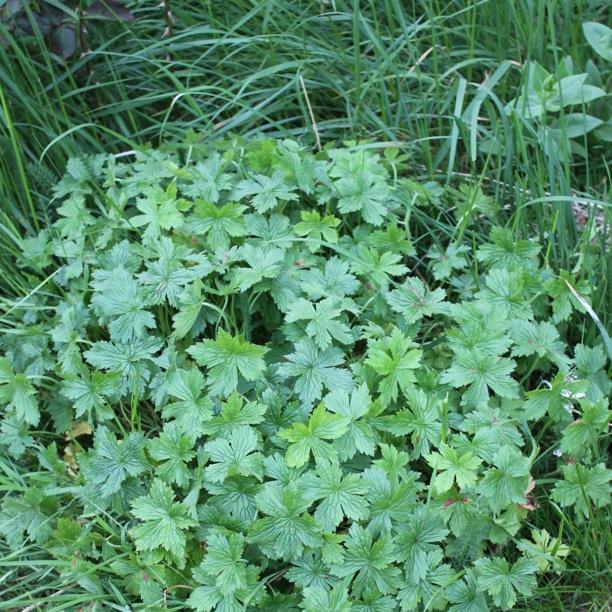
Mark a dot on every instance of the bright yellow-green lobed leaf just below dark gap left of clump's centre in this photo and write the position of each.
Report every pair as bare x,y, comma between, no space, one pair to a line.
225,357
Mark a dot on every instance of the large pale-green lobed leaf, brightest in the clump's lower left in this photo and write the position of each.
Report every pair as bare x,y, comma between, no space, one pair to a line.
164,522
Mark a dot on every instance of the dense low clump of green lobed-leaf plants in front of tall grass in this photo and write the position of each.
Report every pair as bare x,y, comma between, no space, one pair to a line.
247,383
